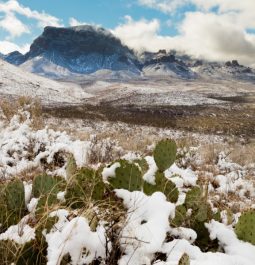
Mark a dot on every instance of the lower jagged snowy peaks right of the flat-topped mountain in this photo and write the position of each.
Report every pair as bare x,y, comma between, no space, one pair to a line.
171,64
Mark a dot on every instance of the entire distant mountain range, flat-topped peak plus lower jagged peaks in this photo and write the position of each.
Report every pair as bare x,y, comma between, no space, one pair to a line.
81,51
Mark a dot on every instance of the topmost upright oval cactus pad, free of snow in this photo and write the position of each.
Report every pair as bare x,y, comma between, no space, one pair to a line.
165,154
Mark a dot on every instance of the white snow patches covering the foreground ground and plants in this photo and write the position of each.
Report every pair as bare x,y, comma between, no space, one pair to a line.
146,227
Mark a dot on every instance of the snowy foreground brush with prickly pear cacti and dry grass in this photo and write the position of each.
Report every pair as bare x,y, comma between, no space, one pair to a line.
92,201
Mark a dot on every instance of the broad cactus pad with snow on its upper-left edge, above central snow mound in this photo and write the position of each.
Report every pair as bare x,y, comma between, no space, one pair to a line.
128,176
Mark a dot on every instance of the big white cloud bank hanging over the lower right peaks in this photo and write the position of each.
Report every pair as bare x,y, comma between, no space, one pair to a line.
203,35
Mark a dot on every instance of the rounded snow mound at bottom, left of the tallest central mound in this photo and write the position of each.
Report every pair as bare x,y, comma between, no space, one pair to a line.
76,239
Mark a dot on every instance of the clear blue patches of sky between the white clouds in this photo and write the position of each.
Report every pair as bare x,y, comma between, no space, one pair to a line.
107,13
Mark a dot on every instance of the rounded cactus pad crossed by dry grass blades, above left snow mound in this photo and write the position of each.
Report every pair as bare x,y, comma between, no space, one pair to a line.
84,186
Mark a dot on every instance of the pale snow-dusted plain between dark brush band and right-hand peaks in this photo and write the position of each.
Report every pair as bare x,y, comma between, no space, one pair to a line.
167,92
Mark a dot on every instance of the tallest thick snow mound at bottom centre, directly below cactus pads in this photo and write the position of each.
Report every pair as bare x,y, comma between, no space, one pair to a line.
146,225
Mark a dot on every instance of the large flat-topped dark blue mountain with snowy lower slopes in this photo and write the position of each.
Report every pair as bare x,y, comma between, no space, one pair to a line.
77,50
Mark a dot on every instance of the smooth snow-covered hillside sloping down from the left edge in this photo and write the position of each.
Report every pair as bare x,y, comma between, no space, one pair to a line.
15,82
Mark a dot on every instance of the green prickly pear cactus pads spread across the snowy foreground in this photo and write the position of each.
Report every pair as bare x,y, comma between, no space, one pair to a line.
85,187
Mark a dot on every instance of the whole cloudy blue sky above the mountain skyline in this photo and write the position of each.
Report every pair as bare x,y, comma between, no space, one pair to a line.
212,29
